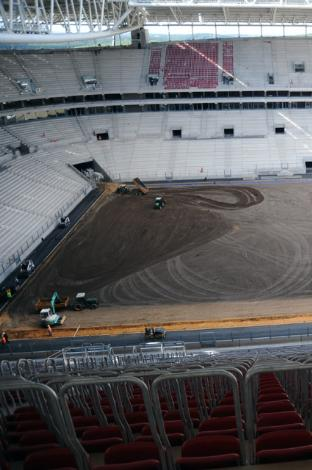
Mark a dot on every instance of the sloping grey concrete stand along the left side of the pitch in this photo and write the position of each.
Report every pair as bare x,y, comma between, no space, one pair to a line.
34,193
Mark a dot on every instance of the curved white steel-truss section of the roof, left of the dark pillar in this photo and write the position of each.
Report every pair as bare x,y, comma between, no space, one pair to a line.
66,20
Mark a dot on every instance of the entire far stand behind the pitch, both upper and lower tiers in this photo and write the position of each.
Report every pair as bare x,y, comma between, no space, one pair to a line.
146,141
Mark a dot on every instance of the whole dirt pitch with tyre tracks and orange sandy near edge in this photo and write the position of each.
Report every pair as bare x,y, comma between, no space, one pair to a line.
214,254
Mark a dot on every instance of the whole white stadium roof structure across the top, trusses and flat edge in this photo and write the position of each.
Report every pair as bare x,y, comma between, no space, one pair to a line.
50,21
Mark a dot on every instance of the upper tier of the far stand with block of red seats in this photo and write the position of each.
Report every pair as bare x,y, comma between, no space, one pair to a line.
192,64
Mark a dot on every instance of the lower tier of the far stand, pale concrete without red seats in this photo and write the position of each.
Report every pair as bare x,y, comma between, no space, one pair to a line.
144,144
